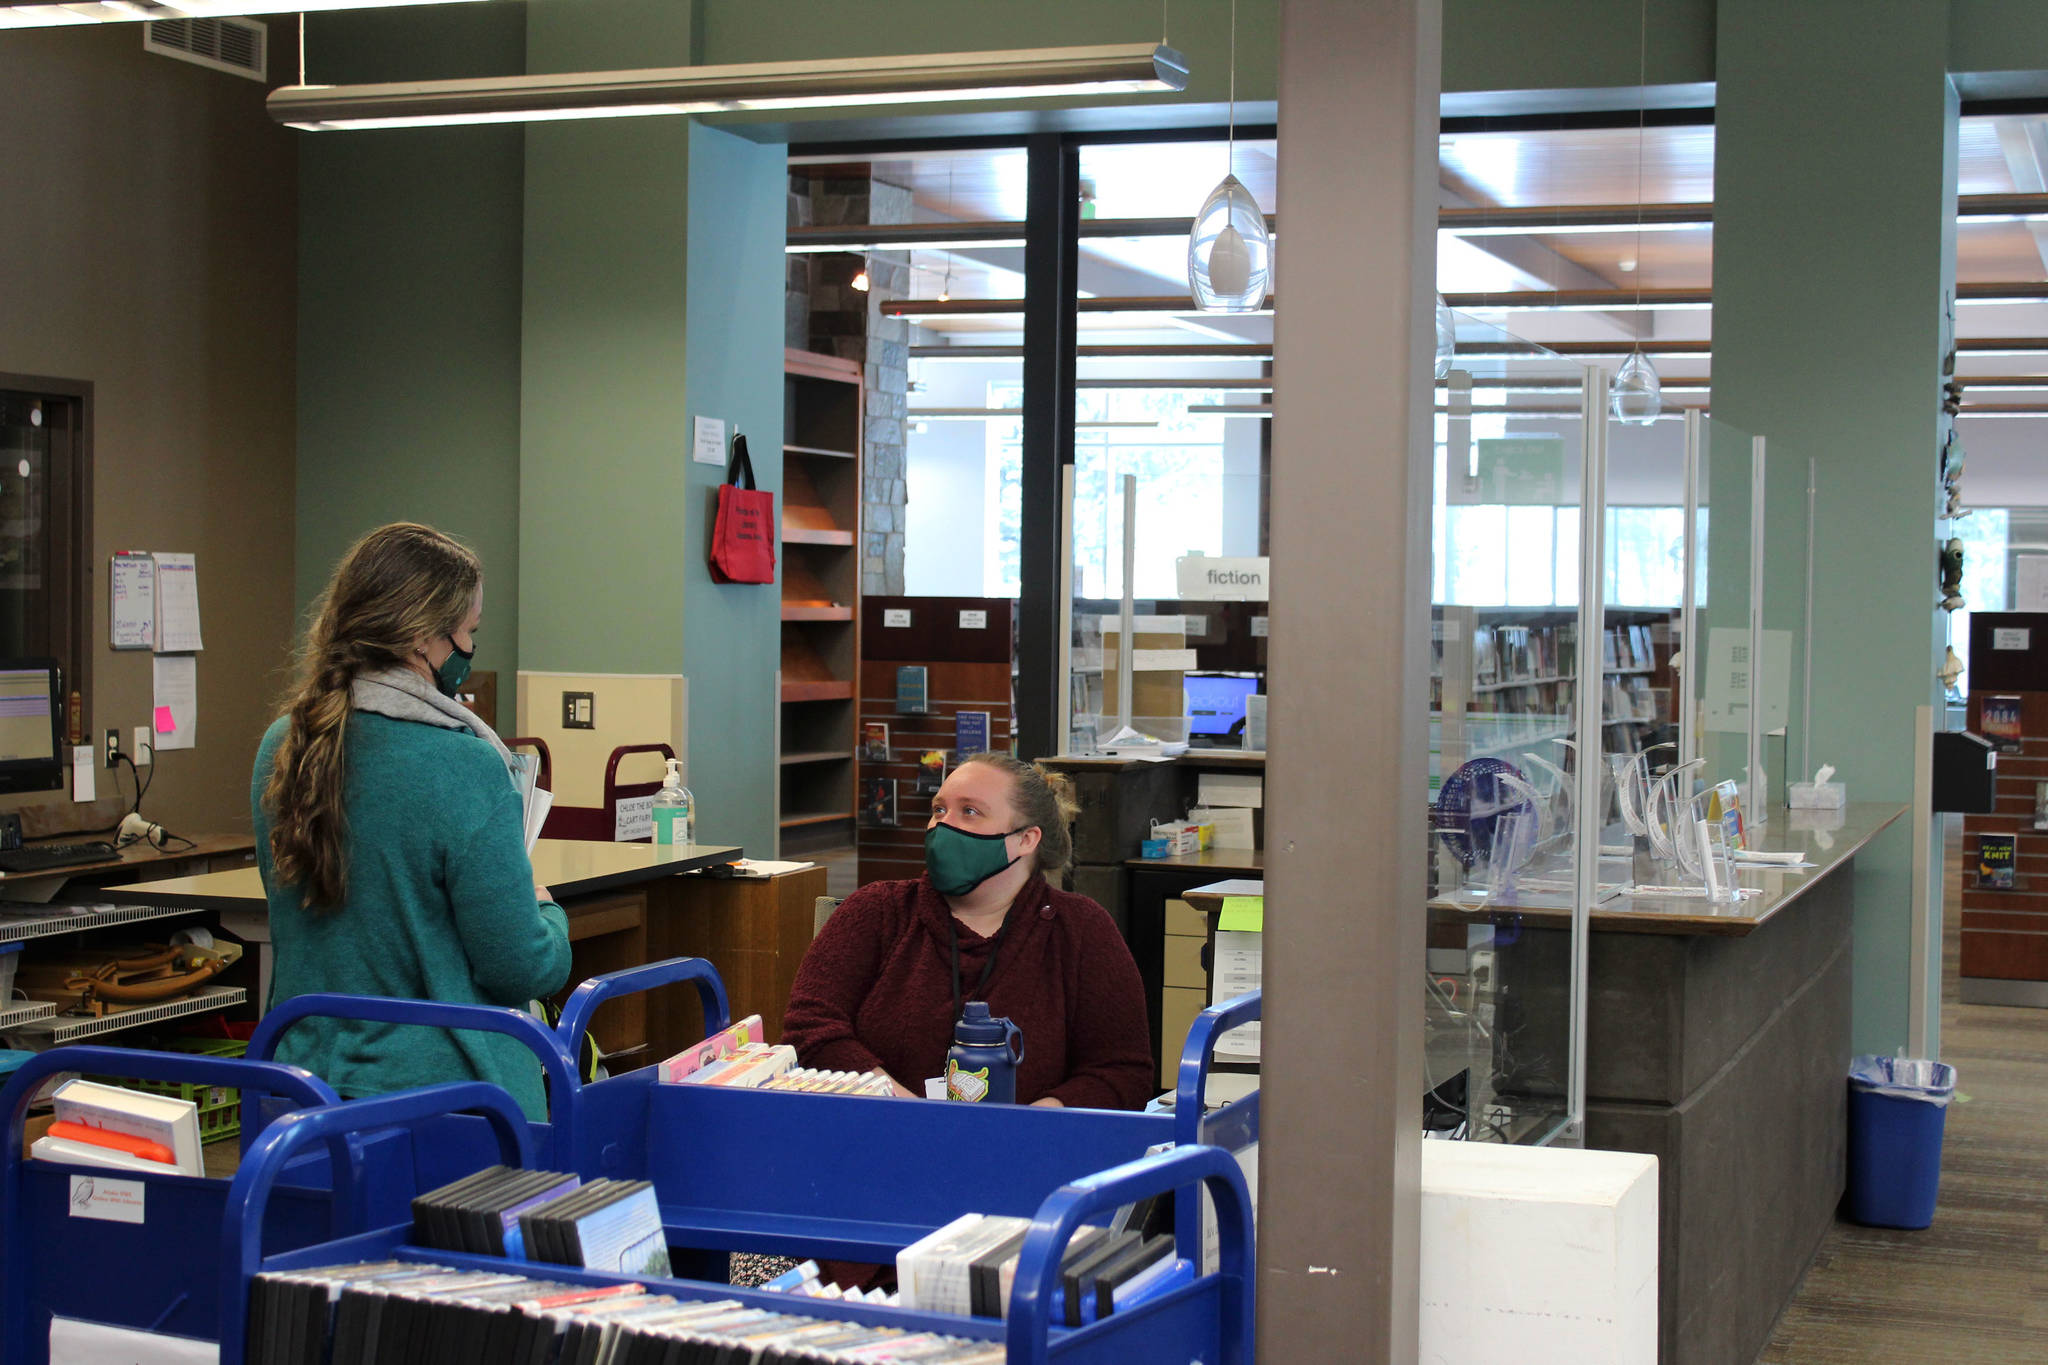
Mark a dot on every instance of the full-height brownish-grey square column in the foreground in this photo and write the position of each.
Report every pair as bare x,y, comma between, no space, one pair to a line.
1349,773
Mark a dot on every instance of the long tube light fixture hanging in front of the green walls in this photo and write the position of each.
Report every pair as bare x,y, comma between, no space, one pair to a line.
919,79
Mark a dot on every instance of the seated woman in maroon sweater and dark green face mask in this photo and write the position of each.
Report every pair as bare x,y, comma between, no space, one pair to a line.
892,969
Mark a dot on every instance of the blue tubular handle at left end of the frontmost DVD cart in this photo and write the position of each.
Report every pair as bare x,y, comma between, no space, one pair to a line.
275,1145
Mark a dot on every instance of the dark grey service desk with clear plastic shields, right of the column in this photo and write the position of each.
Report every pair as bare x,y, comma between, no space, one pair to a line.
1717,1043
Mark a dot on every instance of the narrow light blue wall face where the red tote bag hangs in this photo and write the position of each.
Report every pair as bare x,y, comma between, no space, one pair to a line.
732,631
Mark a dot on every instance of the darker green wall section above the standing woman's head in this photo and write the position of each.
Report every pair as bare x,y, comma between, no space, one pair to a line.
411,312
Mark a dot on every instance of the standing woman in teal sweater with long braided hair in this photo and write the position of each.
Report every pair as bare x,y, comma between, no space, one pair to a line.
392,838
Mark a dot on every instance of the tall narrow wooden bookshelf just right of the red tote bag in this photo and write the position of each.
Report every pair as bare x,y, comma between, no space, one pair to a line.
822,423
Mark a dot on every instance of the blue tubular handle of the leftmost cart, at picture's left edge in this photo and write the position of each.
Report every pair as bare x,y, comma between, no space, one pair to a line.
173,1067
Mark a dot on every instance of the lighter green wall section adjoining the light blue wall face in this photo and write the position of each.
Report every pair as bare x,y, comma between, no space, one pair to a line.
601,416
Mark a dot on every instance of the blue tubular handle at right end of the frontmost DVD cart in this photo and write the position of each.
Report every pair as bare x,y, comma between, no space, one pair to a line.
1070,1206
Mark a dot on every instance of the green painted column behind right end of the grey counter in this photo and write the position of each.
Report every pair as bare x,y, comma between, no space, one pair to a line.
1834,185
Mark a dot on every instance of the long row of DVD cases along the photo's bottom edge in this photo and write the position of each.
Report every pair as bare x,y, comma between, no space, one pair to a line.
392,1311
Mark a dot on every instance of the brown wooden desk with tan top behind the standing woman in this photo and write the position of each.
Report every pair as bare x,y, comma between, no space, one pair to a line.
628,904
